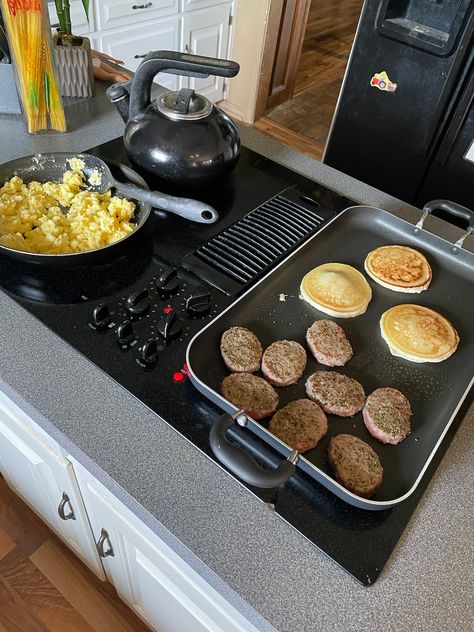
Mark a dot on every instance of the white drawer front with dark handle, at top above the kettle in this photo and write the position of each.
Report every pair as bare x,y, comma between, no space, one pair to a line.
113,13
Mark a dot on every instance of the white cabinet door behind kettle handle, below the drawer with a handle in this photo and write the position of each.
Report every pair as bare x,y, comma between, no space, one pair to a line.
132,44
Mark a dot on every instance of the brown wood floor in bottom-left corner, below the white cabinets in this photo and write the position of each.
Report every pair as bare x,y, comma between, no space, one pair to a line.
44,587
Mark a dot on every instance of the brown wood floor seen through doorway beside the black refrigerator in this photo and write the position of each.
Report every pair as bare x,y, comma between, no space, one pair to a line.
303,122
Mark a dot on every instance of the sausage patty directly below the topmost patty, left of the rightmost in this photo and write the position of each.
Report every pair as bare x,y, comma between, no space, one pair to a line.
335,393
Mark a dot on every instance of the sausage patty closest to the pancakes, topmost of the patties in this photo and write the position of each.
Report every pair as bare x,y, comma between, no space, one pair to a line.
328,343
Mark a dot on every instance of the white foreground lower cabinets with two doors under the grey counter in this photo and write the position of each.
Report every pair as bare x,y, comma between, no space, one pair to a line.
148,575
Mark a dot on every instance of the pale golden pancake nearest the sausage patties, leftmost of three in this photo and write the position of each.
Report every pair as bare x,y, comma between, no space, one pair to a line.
336,289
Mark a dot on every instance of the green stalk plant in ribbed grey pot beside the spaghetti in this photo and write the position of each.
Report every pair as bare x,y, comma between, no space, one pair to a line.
73,55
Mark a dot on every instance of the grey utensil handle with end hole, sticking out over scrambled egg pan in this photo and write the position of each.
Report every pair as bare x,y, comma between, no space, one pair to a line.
188,208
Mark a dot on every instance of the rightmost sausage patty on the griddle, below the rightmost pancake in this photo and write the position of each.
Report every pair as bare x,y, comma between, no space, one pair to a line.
387,415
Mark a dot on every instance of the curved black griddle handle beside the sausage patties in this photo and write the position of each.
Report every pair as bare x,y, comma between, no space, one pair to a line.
241,463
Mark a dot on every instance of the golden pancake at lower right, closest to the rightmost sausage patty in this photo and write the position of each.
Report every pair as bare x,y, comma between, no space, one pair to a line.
418,334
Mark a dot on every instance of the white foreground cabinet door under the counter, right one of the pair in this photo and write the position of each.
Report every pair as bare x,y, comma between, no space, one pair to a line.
155,582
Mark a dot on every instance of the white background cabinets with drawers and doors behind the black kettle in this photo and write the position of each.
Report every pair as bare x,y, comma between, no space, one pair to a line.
128,31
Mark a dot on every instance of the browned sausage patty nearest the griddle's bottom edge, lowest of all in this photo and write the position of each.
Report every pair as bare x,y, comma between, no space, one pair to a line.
355,464
